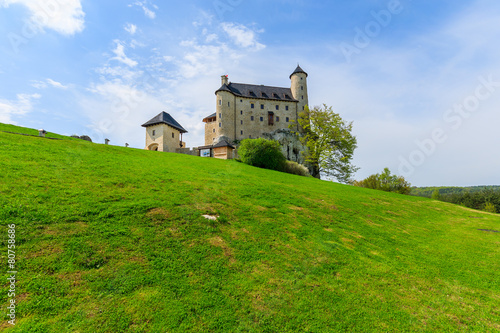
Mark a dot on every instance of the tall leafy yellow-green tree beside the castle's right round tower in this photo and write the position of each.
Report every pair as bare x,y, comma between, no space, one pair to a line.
329,142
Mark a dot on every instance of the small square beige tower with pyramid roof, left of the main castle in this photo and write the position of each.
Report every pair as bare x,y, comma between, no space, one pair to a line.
164,133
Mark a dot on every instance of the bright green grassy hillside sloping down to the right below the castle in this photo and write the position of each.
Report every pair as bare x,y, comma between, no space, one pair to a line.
112,239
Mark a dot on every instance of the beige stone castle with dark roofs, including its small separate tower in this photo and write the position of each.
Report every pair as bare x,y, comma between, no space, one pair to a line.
243,111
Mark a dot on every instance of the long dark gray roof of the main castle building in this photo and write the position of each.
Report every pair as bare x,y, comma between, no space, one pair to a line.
258,92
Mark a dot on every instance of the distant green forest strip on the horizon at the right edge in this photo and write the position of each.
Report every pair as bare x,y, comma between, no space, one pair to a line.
476,197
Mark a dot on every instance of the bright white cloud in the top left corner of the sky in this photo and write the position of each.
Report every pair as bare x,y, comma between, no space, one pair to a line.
63,16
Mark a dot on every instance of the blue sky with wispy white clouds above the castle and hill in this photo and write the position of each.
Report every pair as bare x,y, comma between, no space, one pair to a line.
420,80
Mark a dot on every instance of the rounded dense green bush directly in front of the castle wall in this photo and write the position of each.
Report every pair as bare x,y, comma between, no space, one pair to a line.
262,153
